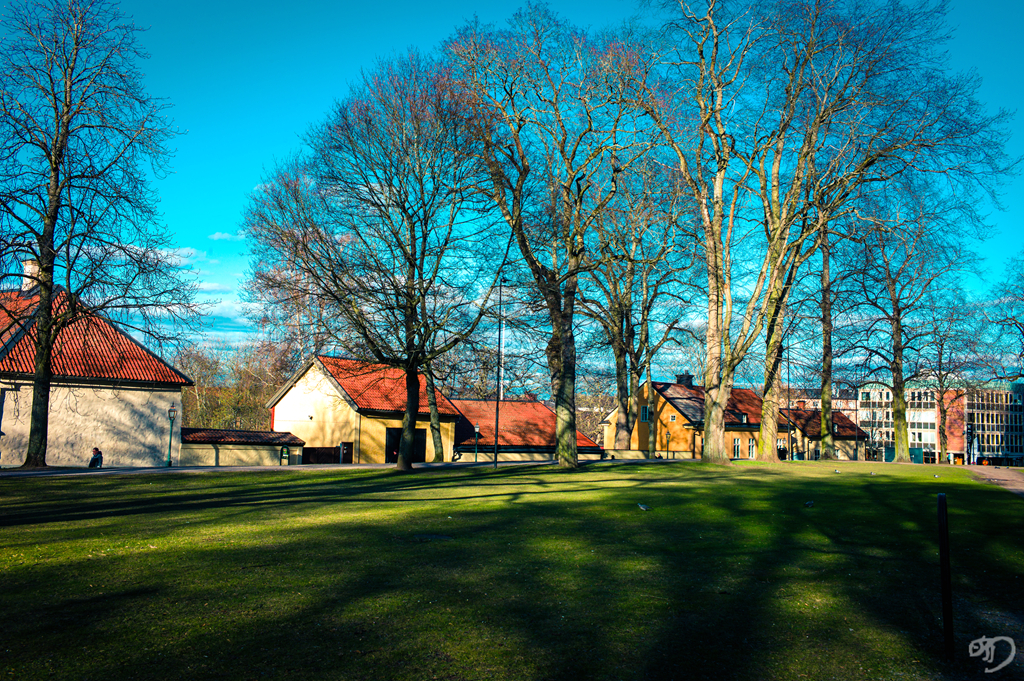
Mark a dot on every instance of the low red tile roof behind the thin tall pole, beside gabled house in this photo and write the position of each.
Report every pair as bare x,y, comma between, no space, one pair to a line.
521,424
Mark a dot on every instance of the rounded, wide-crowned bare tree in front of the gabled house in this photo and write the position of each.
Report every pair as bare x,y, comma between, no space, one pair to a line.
375,241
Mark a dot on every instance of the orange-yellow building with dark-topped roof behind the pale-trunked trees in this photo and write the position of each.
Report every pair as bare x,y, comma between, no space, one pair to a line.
675,416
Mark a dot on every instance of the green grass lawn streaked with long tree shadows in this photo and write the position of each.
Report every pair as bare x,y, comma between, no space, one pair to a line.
518,574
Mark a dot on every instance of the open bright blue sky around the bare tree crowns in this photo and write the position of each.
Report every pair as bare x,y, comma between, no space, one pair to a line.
246,84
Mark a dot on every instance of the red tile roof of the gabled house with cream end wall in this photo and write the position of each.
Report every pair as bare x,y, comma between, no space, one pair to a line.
380,389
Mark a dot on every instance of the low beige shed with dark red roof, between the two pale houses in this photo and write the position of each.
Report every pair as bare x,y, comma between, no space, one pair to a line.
214,447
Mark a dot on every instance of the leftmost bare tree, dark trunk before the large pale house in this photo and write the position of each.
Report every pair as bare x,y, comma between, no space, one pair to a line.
78,139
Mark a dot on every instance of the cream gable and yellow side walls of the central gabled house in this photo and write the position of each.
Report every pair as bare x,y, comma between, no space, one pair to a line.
314,411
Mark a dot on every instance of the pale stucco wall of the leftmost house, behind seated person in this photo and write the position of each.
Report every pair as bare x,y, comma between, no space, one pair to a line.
130,425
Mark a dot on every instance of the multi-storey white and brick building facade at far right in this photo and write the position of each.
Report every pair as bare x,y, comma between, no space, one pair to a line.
985,423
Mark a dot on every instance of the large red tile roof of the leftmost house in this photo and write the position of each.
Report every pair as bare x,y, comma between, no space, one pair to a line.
91,348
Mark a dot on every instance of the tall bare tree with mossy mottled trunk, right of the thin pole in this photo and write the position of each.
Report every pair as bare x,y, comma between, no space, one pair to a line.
556,130
